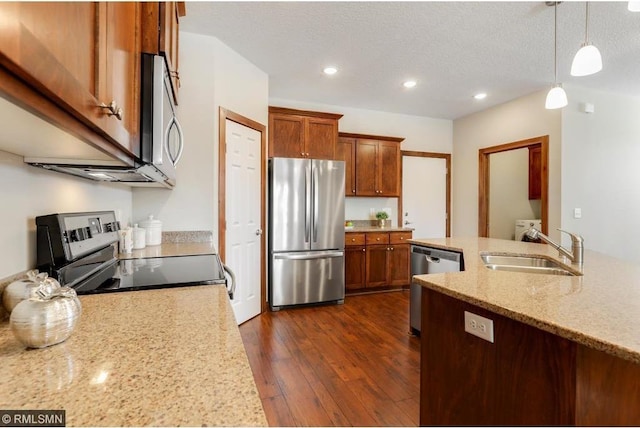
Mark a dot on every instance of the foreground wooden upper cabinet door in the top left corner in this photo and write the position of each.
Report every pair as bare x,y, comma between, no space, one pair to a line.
52,47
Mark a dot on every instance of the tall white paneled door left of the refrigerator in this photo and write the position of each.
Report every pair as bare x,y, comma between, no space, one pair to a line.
243,233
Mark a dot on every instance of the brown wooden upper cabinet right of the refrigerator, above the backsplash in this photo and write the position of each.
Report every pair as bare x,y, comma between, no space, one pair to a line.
374,163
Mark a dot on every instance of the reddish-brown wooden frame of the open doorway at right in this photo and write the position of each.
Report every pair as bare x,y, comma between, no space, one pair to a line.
537,144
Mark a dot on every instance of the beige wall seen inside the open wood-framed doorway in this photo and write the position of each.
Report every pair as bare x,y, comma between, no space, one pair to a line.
509,192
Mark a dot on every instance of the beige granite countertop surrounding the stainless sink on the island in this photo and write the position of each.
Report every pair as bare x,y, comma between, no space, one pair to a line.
600,309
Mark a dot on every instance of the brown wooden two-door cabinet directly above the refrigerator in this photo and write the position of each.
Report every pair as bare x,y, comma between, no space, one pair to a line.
302,134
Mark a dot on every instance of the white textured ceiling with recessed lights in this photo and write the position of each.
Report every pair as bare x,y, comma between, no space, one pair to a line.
452,49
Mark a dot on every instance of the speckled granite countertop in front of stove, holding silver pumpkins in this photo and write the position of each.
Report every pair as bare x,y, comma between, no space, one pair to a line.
166,357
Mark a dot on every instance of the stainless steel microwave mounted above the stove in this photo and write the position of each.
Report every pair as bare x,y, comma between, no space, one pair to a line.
161,137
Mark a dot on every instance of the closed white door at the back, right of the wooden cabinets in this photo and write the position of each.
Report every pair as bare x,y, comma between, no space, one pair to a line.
424,196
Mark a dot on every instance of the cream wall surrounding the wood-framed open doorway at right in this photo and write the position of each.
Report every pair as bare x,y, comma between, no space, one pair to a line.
516,120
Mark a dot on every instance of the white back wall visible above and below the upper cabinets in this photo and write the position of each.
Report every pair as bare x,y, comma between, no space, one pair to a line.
420,134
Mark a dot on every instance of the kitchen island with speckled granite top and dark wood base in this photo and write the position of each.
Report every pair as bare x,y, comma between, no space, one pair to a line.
566,349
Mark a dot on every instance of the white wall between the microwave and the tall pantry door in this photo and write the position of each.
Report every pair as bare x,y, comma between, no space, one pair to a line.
211,75
